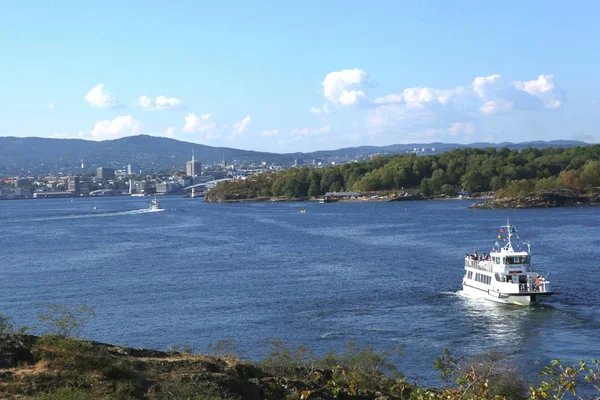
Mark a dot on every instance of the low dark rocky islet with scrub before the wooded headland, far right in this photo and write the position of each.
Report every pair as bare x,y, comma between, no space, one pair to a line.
541,199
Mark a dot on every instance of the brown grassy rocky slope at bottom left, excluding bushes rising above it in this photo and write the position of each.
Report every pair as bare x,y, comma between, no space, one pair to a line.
53,368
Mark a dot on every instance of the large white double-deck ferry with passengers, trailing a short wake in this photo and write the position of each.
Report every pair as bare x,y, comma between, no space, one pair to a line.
506,274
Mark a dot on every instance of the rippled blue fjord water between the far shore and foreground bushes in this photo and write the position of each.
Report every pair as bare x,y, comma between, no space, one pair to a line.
379,274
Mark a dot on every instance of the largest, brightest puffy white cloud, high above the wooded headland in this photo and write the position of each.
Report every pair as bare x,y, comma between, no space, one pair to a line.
344,87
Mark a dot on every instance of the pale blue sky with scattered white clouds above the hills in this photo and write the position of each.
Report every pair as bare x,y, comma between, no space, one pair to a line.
284,76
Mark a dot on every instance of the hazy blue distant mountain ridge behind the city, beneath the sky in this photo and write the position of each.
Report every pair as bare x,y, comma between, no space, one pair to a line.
33,155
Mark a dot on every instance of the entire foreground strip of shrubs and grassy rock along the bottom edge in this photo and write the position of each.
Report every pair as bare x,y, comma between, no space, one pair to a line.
58,366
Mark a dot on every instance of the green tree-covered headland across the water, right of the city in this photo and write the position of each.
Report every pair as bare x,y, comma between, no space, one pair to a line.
506,172
